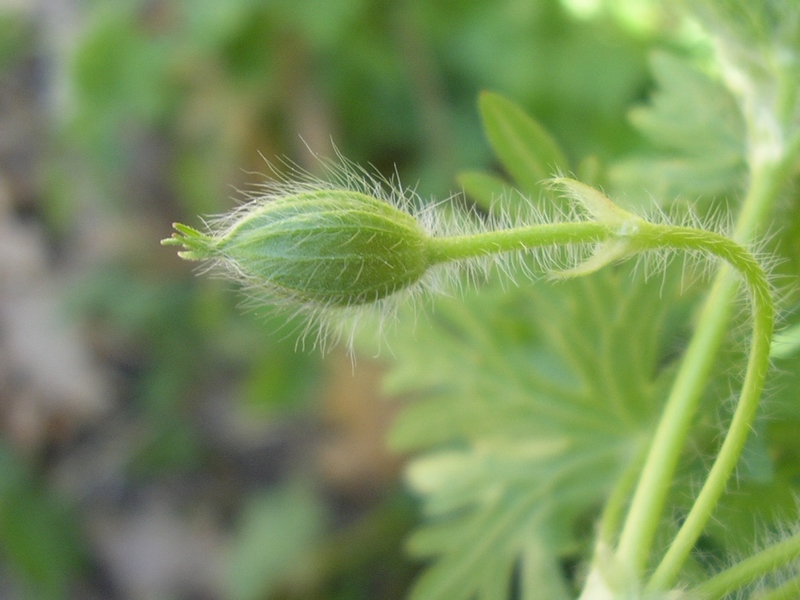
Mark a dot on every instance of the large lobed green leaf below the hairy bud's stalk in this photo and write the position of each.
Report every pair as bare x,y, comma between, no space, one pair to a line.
533,401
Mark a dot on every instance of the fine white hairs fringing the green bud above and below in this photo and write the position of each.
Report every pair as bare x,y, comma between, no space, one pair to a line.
325,324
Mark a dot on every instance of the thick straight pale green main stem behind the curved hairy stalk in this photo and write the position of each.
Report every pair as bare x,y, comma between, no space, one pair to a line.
770,161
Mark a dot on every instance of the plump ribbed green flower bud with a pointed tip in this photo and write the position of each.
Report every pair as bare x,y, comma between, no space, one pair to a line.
325,248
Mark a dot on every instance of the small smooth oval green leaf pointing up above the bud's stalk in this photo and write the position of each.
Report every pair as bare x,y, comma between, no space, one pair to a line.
525,149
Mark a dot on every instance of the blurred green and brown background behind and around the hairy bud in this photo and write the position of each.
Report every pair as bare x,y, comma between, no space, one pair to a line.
157,441
